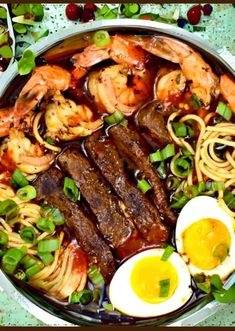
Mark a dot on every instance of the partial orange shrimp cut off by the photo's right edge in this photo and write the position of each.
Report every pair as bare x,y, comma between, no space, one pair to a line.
227,87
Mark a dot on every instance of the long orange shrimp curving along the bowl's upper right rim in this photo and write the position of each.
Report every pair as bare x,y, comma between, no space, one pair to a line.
202,81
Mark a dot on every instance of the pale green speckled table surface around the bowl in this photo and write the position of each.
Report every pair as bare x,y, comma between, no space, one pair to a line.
220,32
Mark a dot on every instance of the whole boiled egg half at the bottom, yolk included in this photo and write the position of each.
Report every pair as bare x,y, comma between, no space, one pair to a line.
147,286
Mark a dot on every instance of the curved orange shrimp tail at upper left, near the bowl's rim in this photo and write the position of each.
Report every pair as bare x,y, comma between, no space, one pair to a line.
45,79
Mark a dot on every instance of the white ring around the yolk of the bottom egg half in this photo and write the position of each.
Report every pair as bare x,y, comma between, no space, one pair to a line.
124,299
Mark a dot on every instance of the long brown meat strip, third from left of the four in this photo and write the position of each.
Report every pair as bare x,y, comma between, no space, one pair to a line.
145,216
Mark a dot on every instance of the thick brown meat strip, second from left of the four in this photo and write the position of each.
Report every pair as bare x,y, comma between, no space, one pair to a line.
113,225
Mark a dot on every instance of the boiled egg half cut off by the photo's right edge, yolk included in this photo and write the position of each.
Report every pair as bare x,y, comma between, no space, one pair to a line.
205,238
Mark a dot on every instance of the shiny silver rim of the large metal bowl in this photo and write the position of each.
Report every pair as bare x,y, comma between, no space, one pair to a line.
49,312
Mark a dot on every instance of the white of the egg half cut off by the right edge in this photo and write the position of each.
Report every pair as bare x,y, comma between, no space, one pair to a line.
195,210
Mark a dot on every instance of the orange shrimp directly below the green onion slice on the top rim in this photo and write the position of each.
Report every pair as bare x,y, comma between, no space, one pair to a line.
119,50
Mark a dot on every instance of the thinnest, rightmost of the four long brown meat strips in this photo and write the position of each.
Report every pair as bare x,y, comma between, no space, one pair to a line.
128,142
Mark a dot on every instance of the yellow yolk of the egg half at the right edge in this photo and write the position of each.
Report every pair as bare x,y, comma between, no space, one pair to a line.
206,243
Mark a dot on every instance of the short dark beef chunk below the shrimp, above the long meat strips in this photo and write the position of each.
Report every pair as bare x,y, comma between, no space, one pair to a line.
151,120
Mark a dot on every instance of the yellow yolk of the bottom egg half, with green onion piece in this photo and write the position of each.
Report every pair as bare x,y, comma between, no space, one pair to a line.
154,280
